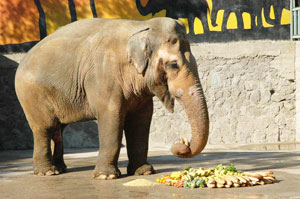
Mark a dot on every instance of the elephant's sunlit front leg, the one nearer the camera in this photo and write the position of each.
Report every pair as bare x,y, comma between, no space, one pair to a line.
110,127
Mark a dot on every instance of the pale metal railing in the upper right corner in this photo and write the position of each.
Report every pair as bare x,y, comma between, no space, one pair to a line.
295,21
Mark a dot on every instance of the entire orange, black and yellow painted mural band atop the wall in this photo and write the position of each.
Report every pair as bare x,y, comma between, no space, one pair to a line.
24,23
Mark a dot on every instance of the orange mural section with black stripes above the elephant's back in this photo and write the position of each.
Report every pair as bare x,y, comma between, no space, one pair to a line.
24,23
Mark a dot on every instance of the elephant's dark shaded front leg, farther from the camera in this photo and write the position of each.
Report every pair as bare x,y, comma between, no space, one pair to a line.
137,126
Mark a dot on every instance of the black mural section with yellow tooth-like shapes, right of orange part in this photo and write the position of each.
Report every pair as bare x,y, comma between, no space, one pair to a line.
226,20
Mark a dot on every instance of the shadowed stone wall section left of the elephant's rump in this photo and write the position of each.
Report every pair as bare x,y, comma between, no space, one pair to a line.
14,130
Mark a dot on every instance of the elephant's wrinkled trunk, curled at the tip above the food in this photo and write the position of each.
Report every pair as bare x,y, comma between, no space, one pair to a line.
195,107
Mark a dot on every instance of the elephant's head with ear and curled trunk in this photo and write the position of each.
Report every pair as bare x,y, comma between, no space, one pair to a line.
162,56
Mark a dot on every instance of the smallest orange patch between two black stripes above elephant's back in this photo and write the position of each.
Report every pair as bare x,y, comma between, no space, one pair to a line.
83,9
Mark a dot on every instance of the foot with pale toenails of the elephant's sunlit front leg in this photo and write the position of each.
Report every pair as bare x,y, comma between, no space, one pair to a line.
106,173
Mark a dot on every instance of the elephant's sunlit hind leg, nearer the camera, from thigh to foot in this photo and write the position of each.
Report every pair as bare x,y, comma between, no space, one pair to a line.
43,124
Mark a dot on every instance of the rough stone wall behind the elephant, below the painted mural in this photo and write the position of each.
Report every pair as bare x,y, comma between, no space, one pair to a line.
249,87
